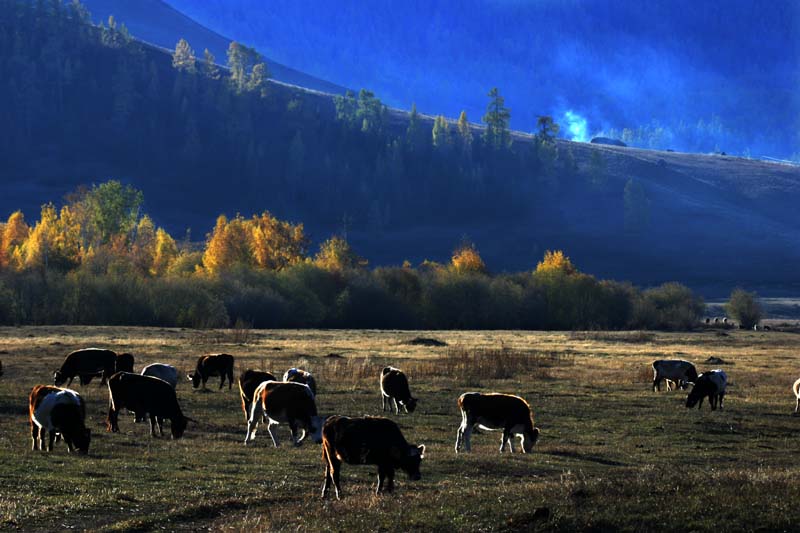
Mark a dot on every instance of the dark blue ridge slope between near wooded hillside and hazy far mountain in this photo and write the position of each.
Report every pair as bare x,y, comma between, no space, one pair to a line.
155,22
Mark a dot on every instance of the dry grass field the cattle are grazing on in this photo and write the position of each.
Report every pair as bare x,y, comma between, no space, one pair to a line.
613,455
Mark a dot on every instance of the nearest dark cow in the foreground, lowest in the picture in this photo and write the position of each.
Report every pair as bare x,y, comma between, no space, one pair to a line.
368,441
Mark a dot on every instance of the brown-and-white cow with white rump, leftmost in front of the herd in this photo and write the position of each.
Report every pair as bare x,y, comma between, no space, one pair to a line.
58,411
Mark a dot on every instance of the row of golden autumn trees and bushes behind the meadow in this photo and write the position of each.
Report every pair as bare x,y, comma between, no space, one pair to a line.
98,259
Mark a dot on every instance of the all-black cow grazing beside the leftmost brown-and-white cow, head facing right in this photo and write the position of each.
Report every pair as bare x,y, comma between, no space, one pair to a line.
145,394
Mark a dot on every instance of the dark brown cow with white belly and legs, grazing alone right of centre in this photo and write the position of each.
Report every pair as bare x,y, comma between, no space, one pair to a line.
496,412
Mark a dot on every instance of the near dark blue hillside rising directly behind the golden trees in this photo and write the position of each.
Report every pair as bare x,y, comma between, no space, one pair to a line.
89,106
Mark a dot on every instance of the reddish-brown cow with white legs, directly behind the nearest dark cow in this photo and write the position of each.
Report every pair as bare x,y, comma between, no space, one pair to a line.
285,402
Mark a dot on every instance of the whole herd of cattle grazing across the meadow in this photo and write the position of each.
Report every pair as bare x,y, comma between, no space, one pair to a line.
57,412
